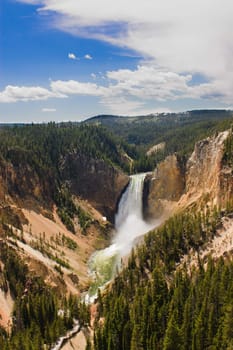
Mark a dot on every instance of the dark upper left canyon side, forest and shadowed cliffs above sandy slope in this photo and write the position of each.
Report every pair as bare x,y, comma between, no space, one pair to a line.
38,161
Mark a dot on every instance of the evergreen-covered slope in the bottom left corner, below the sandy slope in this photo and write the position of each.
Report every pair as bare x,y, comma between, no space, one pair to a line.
41,315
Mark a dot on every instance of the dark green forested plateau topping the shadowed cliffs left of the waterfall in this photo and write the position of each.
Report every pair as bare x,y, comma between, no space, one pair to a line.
44,145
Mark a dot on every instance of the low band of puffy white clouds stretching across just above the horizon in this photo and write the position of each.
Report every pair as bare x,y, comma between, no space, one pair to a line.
127,91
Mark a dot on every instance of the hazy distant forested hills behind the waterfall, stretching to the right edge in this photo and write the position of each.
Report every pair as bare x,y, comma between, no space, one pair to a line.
178,131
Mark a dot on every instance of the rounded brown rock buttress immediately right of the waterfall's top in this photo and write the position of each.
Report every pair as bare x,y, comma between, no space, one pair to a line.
163,188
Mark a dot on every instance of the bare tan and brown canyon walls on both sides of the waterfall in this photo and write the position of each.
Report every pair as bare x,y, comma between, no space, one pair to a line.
60,257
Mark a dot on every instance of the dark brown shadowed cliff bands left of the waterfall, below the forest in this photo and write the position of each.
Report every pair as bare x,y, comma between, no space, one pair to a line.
94,180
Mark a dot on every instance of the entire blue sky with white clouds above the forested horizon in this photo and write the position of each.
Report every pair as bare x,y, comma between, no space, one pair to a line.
69,60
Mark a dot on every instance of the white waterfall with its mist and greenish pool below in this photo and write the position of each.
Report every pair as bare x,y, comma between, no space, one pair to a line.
129,225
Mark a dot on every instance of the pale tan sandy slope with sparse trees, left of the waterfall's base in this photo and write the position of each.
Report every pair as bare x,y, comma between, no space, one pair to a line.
50,251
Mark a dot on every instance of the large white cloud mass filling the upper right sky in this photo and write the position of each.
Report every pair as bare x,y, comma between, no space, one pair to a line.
177,39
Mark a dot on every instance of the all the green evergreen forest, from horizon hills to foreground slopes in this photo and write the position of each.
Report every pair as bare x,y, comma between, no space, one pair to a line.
158,300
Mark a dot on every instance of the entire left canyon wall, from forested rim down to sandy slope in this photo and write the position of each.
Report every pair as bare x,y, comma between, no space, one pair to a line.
49,216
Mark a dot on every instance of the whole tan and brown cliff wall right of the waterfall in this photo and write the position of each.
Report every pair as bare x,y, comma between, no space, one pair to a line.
206,180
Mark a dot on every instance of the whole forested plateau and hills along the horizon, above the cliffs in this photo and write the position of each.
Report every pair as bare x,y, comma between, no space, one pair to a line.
109,137
